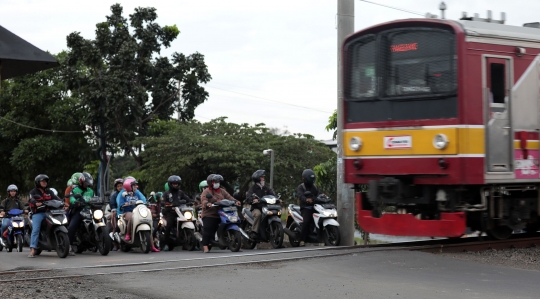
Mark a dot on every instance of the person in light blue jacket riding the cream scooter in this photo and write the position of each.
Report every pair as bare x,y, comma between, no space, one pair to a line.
130,191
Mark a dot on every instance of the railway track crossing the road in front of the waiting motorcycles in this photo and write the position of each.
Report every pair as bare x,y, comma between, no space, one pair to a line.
432,246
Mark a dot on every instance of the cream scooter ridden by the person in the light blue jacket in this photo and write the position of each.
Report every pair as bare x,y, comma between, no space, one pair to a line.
141,227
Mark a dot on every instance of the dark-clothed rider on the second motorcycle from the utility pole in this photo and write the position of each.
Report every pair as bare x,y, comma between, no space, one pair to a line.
260,190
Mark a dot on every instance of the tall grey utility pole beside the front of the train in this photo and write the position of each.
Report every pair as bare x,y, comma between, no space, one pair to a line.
345,195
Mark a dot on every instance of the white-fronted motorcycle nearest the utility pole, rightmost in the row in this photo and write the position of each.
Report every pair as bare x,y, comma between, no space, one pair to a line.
326,228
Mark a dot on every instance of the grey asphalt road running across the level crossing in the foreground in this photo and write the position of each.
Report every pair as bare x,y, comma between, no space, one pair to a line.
340,273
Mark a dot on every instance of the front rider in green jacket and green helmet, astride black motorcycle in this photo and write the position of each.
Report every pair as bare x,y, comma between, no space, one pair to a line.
79,196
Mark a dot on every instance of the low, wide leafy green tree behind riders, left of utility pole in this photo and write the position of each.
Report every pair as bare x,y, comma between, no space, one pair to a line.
194,150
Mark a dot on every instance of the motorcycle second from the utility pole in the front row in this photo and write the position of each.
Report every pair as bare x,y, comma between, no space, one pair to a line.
270,228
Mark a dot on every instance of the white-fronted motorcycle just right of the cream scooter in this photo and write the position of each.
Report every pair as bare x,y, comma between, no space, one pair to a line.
184,232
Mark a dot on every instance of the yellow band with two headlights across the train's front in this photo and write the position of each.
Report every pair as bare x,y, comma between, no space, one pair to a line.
415,141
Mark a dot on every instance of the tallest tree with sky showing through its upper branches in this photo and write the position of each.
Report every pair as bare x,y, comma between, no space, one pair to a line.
125,84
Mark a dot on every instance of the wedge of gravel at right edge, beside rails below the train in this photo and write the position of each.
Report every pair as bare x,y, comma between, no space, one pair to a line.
520,258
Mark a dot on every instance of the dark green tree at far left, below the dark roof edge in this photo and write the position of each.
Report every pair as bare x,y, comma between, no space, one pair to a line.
41,130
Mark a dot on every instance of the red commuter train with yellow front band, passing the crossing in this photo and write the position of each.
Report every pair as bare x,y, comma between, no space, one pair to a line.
442,121
